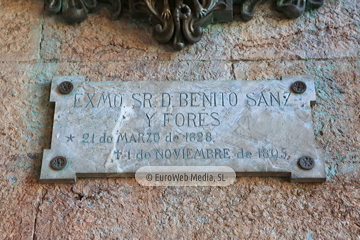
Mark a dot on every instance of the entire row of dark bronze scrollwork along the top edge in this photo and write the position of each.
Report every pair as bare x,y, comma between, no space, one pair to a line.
178,22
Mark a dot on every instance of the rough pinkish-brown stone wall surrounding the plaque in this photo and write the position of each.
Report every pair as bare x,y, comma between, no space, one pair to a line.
34,47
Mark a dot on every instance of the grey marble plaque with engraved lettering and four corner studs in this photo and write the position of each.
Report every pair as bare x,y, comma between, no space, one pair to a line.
111,129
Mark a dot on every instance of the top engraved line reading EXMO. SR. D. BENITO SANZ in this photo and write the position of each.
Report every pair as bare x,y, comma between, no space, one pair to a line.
182,99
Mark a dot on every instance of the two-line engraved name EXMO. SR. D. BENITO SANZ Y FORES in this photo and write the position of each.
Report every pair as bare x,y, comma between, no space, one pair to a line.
191,101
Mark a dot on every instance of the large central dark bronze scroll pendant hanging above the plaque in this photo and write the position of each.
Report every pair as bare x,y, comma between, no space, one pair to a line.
182,21
